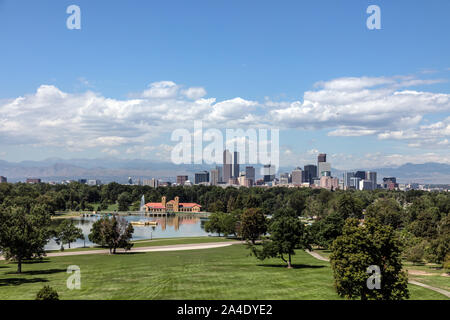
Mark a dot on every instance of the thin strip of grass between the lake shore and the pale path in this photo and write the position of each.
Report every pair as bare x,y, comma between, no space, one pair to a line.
156,242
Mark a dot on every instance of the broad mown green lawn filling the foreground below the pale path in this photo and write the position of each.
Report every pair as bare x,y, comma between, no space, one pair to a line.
219,273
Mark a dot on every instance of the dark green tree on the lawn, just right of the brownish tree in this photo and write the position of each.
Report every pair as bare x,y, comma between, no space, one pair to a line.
287,233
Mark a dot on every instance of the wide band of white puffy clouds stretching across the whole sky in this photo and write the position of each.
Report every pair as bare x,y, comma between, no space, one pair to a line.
385,107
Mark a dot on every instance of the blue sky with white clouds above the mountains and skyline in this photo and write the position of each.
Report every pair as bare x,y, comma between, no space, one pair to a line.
138,70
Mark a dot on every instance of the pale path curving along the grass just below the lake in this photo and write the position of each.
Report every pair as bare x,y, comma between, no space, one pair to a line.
173,247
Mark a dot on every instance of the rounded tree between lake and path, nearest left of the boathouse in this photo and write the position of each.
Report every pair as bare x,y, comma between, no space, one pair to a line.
112,233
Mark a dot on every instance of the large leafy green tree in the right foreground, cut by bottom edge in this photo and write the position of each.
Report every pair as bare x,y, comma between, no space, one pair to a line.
360,247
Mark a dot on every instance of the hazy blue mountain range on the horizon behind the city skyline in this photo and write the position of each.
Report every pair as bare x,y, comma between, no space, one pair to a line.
112,169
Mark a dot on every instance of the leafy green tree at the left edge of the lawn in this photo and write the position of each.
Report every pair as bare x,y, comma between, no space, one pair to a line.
24,233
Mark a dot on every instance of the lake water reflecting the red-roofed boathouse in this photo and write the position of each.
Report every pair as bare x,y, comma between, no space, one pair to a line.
180,225
